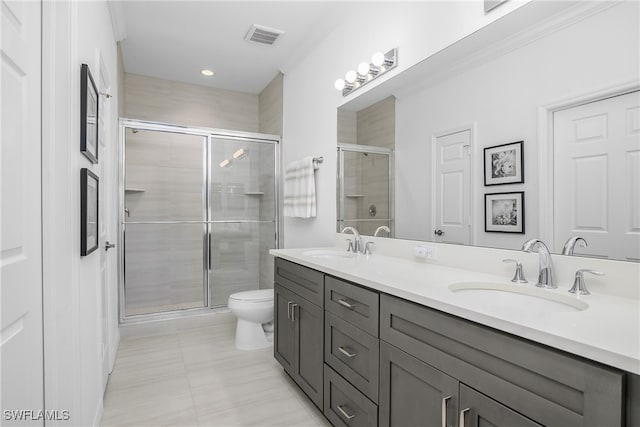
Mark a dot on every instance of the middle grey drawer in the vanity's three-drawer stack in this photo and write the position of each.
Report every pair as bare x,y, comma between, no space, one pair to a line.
352,353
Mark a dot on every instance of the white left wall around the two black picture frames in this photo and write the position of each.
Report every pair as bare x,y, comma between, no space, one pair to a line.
73,33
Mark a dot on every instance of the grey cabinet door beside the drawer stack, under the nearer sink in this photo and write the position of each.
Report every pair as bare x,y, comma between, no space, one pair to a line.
413,393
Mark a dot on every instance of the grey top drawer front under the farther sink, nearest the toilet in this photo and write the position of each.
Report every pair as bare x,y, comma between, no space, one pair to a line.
301,280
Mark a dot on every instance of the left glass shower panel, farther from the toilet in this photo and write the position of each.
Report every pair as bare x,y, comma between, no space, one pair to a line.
164,216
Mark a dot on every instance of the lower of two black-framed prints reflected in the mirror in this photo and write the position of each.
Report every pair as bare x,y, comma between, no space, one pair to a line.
504,212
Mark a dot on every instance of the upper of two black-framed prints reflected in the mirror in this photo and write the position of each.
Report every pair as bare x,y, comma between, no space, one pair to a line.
504,164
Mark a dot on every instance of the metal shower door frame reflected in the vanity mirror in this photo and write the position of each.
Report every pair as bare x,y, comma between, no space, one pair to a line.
341,148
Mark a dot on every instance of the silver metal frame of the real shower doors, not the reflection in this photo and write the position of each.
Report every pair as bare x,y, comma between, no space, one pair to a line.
208,134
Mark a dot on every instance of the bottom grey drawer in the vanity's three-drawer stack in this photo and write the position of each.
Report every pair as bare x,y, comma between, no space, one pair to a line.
344,405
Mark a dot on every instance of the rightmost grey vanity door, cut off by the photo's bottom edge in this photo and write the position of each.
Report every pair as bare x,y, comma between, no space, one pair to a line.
481,411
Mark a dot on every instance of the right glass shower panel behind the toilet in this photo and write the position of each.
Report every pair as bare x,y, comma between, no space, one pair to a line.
242,211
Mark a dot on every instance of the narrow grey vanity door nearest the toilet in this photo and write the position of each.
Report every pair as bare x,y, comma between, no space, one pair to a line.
284,329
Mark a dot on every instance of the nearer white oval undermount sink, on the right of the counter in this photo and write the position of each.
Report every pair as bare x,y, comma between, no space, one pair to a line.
524,298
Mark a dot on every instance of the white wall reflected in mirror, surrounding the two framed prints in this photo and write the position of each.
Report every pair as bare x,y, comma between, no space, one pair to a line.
501,98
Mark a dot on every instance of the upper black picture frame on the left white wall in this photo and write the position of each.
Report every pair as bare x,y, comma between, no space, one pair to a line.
88,115
